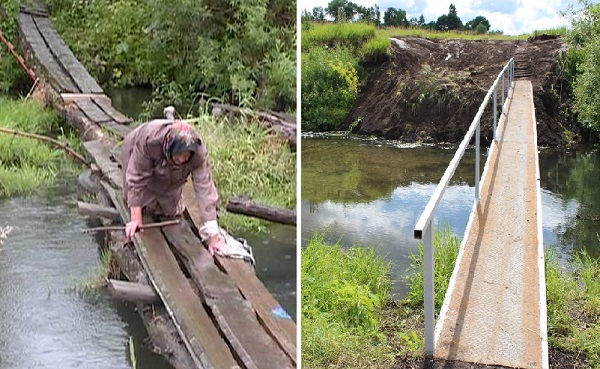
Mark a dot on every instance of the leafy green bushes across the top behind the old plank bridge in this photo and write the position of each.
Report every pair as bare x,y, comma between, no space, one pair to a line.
240,51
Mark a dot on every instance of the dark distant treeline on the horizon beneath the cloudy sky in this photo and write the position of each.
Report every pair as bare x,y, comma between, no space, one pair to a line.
343,10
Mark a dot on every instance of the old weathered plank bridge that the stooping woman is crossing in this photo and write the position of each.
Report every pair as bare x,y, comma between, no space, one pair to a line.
200,311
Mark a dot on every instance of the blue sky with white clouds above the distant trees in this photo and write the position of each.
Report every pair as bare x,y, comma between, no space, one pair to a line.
513,17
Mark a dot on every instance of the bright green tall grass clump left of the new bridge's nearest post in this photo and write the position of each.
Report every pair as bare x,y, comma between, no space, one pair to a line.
343,292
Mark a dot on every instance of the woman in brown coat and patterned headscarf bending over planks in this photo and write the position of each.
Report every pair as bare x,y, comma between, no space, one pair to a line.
158,156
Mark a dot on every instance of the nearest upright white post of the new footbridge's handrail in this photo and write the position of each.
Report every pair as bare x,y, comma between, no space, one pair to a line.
429,295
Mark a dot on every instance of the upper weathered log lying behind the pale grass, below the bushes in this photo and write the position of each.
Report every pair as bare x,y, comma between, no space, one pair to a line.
284,127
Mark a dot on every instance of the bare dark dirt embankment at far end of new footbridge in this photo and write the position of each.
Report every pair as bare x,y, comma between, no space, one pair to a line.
430,90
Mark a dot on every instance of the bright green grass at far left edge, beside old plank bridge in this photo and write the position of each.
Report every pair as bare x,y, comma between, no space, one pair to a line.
28,166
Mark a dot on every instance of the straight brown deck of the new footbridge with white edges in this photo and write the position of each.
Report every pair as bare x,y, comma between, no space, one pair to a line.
495,308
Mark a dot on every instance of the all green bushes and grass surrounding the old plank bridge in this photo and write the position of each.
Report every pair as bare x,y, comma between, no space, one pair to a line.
124,43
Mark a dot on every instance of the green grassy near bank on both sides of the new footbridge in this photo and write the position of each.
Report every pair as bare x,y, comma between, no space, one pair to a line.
349,320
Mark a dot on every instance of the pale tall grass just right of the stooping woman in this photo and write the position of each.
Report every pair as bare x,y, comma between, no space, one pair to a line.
248,159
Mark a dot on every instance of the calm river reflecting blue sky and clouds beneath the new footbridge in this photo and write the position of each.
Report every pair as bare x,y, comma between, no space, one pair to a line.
371,193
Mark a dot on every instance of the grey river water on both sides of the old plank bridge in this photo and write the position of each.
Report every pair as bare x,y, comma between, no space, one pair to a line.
47,320
